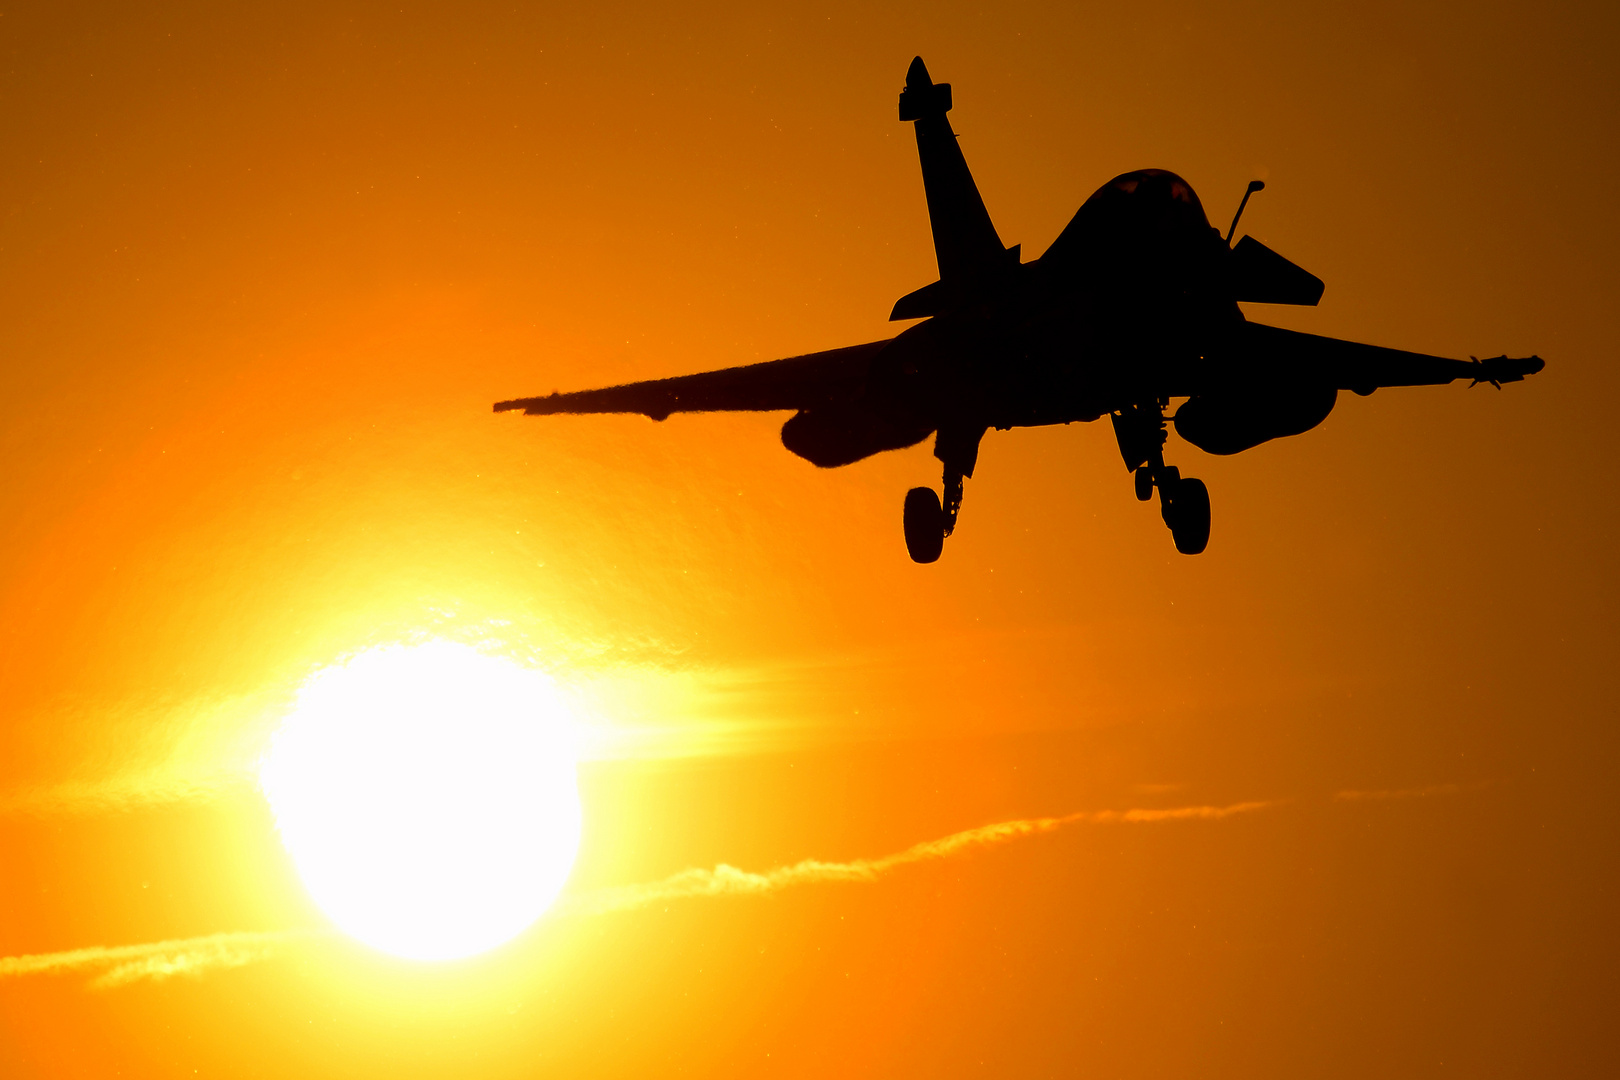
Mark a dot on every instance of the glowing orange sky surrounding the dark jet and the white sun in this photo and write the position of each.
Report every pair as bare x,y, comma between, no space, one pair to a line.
263,271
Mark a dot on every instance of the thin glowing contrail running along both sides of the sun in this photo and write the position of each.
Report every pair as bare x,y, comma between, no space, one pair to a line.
197,956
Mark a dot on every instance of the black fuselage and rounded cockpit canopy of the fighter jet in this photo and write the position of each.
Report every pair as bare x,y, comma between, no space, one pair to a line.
1128,305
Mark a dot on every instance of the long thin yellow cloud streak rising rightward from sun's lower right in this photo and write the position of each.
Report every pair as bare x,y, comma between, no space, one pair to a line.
730,882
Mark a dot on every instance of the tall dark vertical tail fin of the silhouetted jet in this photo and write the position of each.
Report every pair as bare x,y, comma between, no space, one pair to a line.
965,242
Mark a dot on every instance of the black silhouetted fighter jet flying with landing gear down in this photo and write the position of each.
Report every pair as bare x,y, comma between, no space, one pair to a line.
1132,308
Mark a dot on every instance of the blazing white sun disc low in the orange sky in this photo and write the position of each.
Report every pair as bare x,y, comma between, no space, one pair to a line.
428,797
